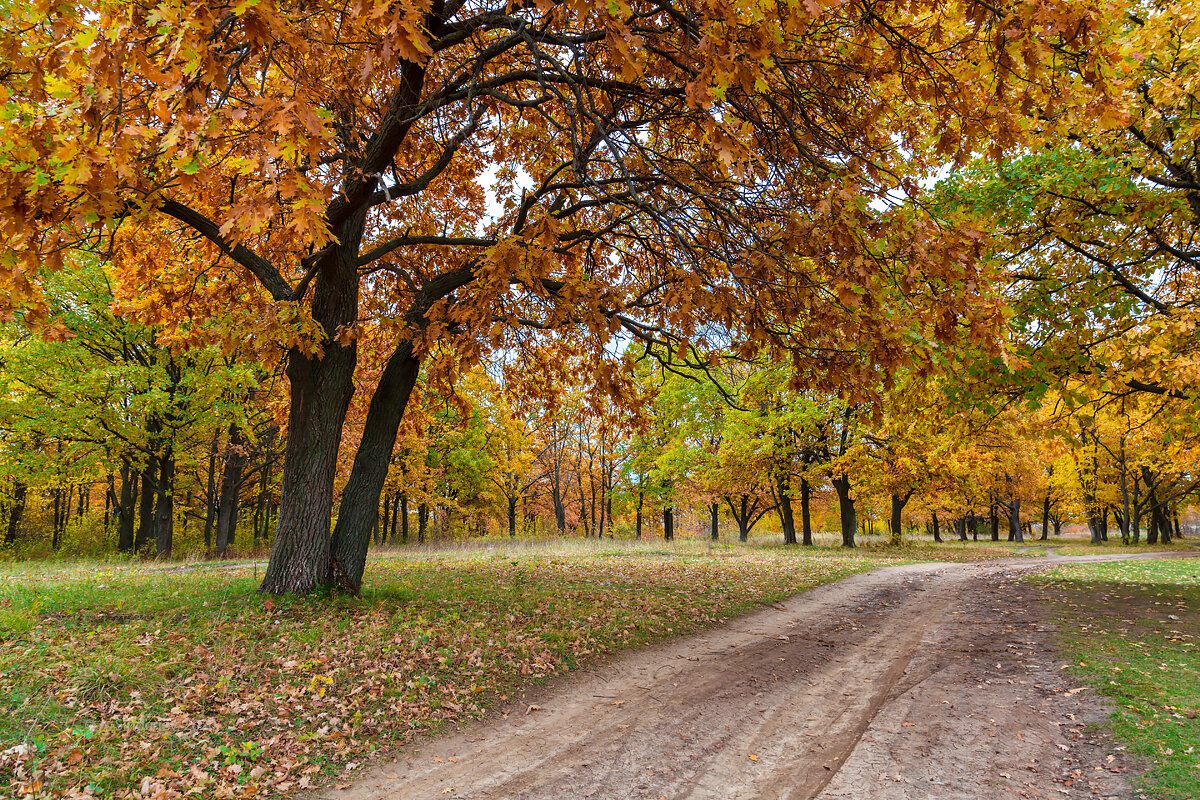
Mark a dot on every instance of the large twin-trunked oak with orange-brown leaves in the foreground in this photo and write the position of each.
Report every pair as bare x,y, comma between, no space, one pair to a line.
650,164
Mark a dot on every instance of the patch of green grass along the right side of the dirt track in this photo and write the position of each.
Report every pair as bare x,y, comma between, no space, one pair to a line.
1132,630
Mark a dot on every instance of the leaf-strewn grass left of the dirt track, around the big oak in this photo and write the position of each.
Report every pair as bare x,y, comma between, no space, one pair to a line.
131,681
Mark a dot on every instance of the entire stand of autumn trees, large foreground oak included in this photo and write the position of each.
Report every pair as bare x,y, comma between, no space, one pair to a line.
315,279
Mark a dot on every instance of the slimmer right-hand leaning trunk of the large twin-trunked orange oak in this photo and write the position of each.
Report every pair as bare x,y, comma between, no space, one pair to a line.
361,500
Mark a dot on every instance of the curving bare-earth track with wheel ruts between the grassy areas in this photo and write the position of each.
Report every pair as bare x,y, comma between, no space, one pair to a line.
928,681
